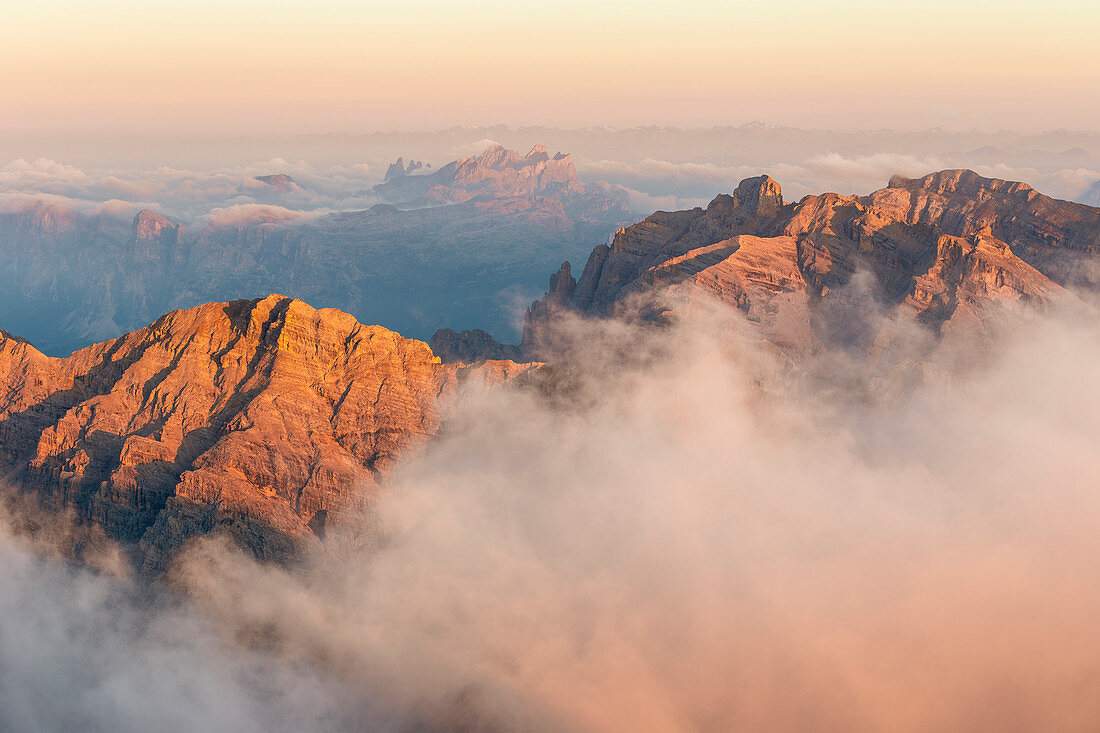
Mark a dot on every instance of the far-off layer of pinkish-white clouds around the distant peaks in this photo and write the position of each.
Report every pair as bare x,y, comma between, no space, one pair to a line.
680,176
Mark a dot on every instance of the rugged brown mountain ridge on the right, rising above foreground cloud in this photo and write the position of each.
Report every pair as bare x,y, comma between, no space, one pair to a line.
937,251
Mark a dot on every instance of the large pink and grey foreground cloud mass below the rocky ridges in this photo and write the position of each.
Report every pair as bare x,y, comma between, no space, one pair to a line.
687,532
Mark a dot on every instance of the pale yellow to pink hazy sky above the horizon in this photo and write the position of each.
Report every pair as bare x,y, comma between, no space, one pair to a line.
269,67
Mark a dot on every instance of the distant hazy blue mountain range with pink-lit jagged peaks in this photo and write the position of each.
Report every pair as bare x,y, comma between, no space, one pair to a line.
70,279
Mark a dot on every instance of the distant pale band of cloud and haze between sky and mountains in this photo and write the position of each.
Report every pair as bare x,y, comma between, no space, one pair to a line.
654,168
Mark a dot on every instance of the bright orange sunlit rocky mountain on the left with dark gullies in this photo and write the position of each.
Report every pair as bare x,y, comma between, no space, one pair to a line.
267,420
